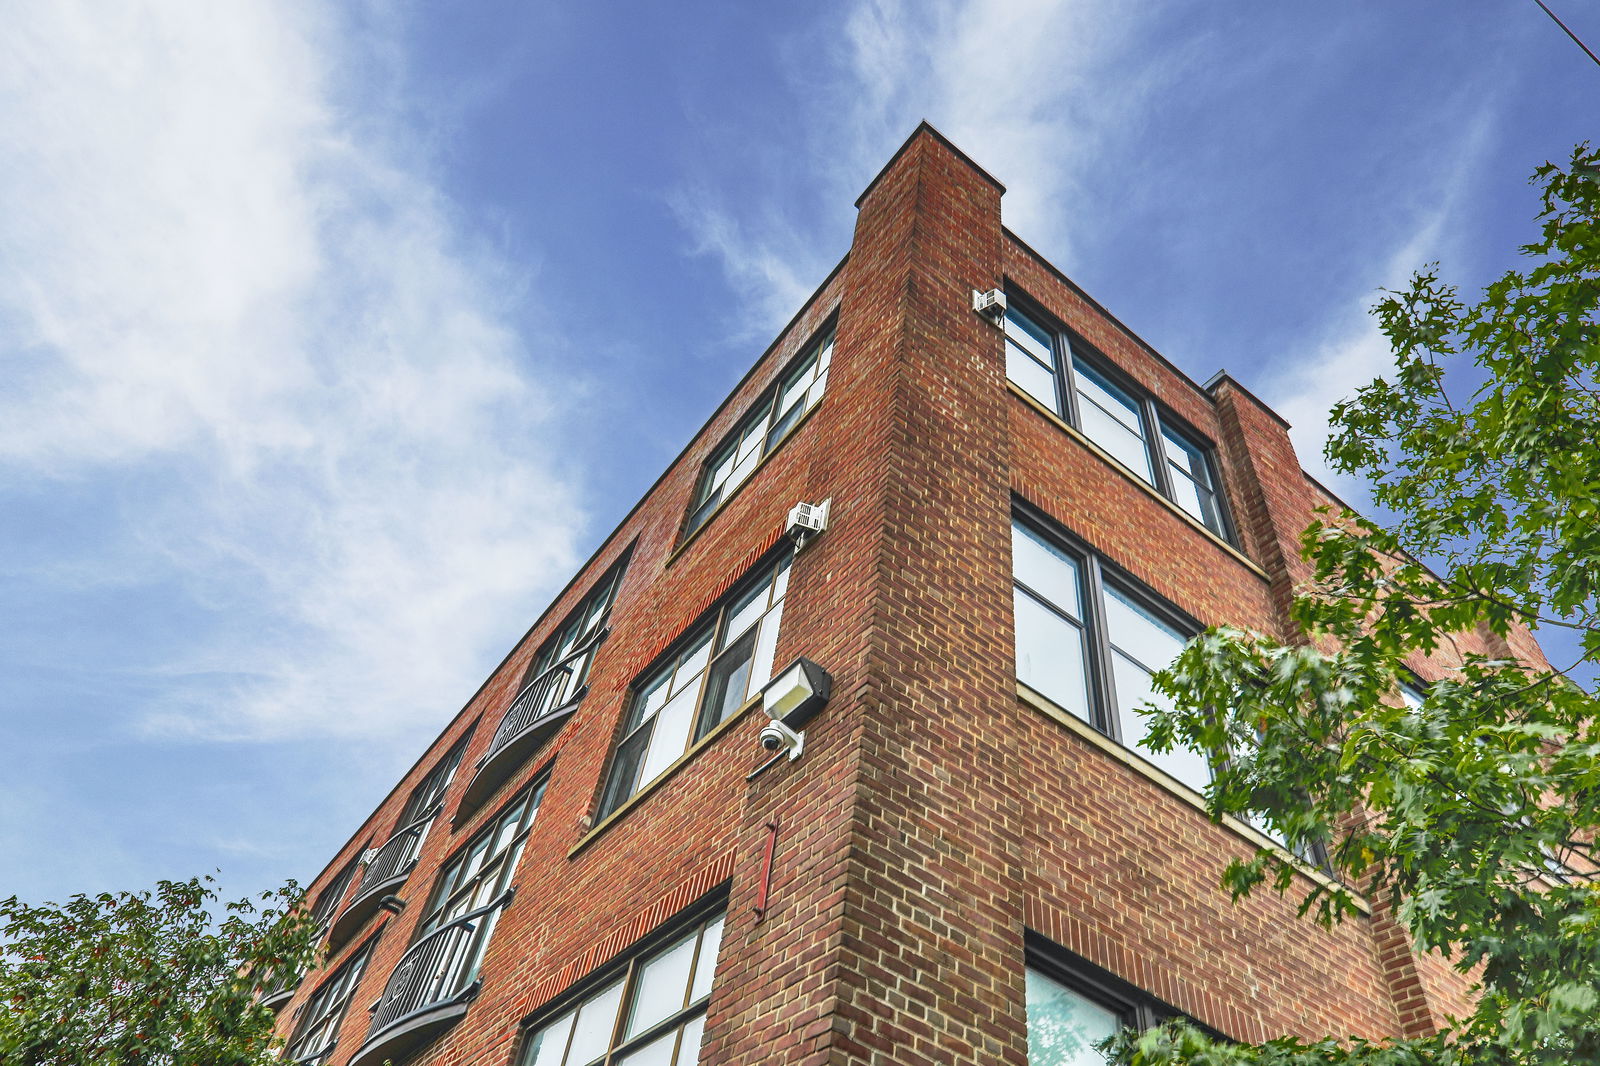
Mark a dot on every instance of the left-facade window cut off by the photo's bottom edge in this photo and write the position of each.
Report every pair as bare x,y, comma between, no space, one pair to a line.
652,1016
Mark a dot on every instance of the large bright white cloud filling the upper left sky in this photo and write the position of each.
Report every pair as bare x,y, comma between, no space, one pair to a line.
265,324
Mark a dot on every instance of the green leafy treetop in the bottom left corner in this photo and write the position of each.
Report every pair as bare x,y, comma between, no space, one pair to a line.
150,979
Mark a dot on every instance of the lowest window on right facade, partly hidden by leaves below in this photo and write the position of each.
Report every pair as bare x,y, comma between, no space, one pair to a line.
1073,1006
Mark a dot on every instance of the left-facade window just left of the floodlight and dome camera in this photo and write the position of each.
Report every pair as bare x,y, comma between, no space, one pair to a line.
711,673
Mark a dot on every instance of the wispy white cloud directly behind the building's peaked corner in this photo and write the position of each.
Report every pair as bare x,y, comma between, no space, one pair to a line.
1031,89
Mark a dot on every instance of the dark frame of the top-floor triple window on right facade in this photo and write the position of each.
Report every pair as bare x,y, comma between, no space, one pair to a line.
1156,420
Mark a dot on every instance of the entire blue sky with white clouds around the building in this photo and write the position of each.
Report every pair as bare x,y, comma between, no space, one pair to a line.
335,337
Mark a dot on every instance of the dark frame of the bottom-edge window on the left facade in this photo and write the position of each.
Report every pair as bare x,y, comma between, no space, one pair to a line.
690,923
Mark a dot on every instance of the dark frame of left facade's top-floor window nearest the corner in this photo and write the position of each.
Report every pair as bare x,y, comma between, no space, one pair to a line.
711,494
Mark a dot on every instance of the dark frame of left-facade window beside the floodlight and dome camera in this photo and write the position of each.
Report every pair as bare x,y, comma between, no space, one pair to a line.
713,620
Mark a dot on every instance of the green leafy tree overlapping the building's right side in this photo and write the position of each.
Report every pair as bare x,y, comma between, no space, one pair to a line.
1474,814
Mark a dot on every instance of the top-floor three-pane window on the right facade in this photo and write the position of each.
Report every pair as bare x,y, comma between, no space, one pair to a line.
1126,425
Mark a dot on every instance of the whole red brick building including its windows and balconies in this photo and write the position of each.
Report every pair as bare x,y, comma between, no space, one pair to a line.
1028,511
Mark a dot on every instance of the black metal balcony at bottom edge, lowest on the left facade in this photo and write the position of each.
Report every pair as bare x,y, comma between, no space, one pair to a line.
431,987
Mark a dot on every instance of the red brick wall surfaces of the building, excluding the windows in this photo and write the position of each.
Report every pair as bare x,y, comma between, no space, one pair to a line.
935,816
